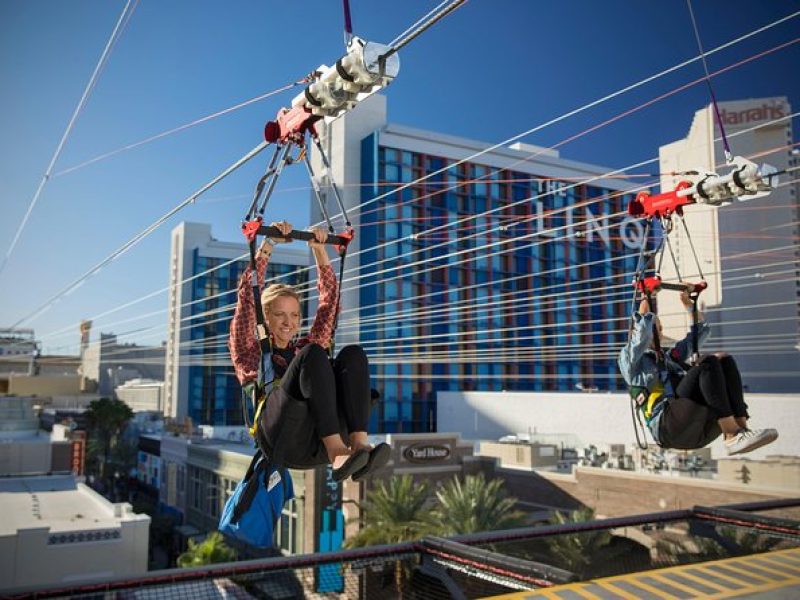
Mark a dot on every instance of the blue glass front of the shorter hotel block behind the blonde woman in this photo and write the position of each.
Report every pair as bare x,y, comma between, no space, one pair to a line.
214,393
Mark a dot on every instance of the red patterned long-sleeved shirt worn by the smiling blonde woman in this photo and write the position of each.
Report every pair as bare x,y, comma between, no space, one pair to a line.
243,341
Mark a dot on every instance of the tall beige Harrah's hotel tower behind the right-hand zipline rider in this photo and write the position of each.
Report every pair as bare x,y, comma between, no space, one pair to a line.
748,251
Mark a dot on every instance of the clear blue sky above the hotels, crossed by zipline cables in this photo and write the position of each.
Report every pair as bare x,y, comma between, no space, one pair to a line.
489,71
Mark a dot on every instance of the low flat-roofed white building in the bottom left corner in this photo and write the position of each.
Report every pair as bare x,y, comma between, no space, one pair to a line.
57,530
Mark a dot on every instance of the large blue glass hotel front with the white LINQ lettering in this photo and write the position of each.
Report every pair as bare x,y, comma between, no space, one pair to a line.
542,293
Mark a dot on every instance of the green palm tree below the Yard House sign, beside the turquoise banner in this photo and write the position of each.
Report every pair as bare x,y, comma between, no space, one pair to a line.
395,512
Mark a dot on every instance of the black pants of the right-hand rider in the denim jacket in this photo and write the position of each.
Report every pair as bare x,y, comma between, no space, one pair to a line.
709,391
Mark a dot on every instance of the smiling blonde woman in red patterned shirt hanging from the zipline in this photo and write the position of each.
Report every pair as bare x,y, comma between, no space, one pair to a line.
297,368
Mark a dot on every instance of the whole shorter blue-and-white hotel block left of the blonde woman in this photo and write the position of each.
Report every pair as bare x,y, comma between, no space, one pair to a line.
204,274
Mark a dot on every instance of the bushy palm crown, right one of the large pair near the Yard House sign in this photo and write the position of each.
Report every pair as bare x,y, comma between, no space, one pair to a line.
476,505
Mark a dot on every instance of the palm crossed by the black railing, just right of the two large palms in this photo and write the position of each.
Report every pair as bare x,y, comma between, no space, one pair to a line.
576,551
